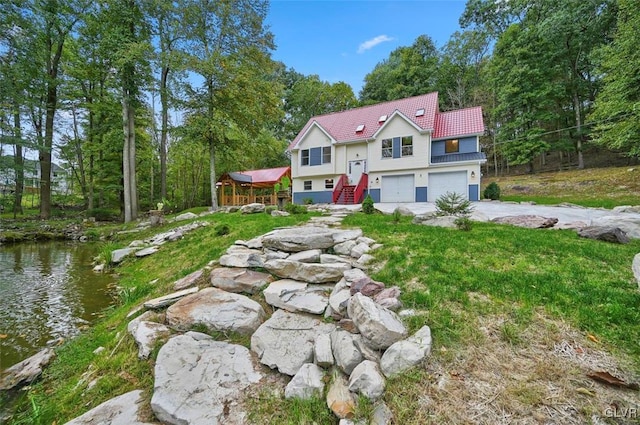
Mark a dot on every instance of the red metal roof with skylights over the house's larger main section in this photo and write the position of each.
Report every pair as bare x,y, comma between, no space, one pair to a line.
342,126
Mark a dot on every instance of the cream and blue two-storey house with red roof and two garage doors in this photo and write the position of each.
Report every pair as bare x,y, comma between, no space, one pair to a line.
399,151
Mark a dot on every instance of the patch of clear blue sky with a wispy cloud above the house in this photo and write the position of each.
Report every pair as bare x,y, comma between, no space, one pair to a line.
343,40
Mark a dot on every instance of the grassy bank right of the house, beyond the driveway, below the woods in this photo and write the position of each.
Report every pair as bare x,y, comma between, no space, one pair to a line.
594,187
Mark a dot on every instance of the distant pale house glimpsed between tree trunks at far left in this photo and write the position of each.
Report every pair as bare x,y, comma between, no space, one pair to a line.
61,178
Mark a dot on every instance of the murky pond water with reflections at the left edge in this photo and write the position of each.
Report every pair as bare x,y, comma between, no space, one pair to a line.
48,291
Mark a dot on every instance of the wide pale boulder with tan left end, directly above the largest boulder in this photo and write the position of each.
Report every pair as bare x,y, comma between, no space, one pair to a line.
218,310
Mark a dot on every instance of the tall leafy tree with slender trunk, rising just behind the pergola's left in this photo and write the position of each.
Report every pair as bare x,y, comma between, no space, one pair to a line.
228,47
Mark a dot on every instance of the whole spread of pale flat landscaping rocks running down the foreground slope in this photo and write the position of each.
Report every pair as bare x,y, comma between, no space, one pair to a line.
328,319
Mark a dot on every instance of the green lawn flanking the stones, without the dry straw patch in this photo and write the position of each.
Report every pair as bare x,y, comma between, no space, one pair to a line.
518,274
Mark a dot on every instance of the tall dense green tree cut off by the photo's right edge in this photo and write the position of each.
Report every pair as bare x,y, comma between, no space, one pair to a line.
617,106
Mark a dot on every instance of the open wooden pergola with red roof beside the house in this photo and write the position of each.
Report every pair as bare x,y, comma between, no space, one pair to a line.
246,187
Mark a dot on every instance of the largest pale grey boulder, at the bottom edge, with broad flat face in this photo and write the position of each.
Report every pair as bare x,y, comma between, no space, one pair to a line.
202,381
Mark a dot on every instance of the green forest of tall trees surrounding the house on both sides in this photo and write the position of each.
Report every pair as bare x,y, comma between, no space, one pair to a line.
149,101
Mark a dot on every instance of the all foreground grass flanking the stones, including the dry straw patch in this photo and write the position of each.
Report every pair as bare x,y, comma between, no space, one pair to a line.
500,300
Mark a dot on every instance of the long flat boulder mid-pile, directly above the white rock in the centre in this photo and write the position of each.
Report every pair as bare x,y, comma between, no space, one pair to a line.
307,272
